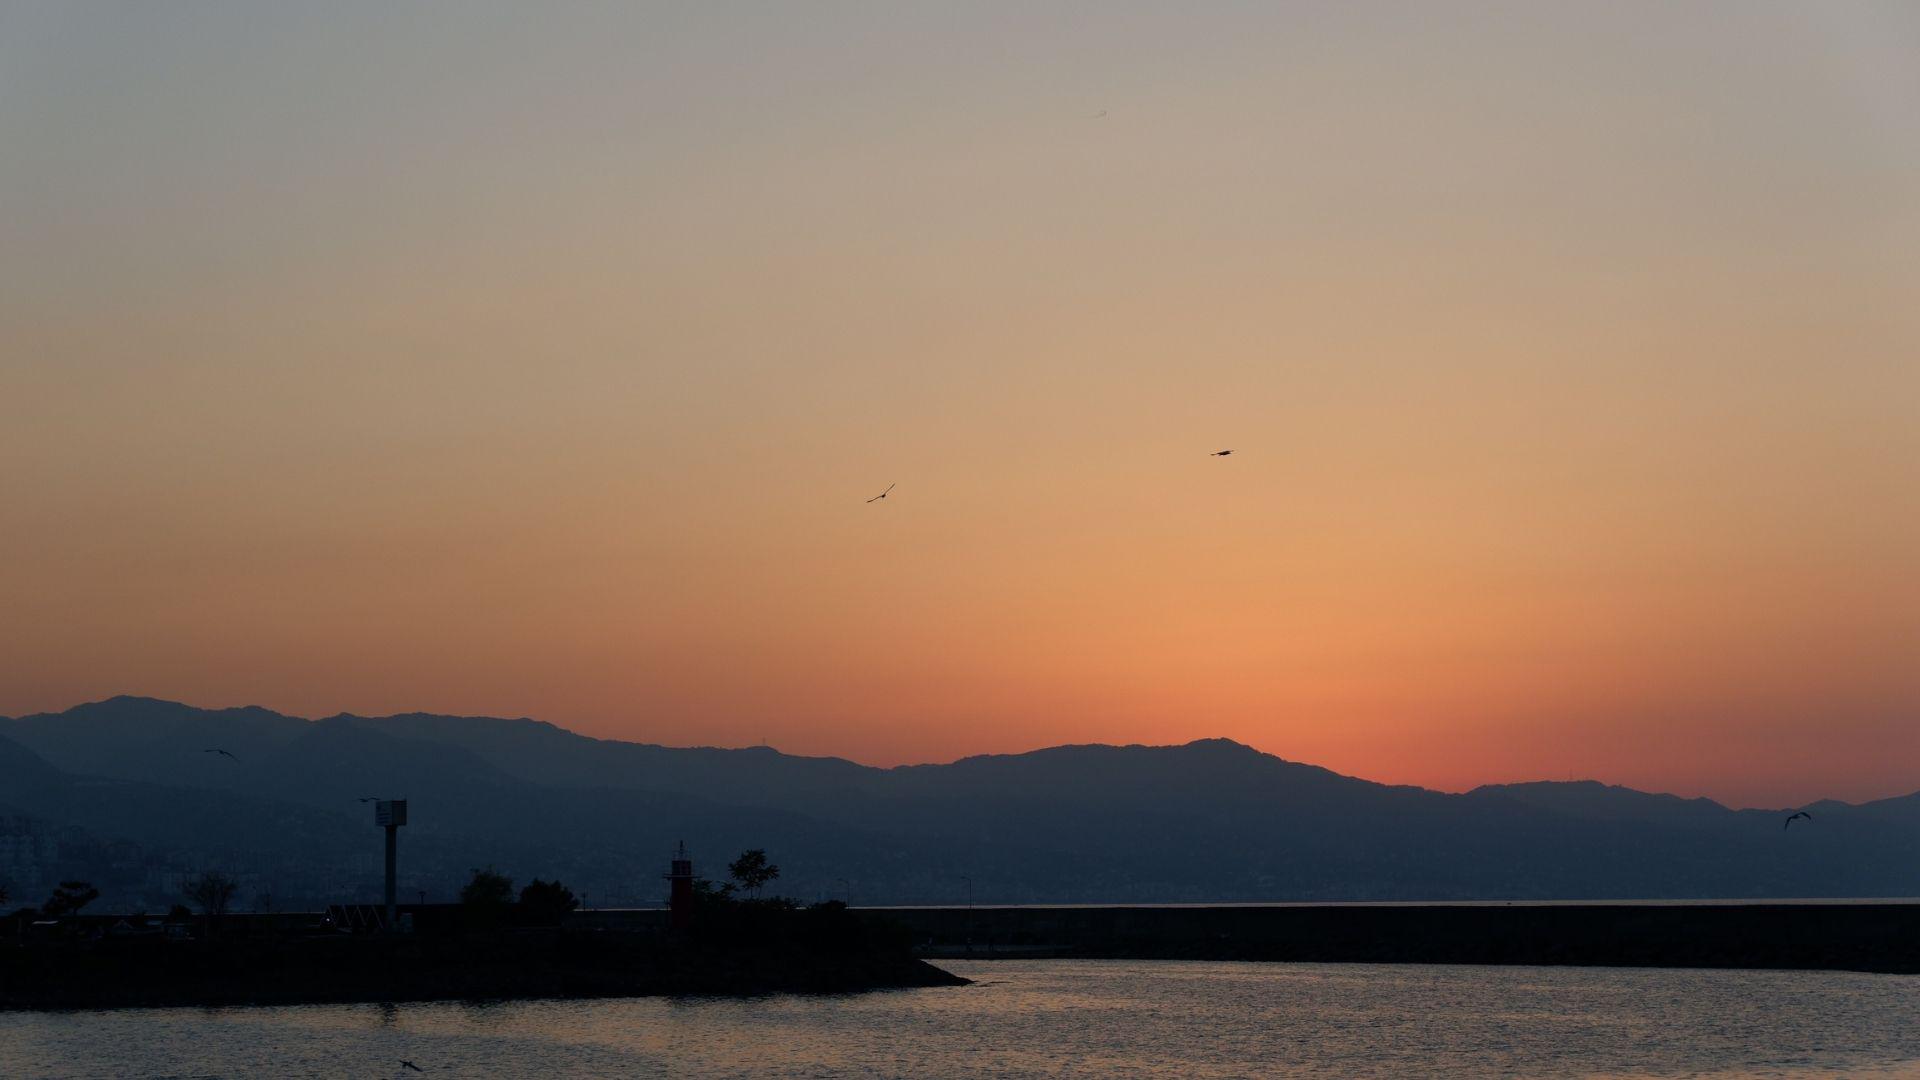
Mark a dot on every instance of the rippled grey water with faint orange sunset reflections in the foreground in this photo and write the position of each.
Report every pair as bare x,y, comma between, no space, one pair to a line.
1061,1019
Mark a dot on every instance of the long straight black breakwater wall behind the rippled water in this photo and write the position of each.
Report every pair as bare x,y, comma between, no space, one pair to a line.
1840,937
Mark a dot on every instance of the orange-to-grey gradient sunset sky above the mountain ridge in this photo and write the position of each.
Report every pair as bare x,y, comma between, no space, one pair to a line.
539,360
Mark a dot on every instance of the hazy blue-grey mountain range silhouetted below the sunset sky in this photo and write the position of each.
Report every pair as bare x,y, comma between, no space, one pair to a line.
1209,822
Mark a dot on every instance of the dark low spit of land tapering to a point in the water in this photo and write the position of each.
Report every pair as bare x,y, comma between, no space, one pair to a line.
110,973
